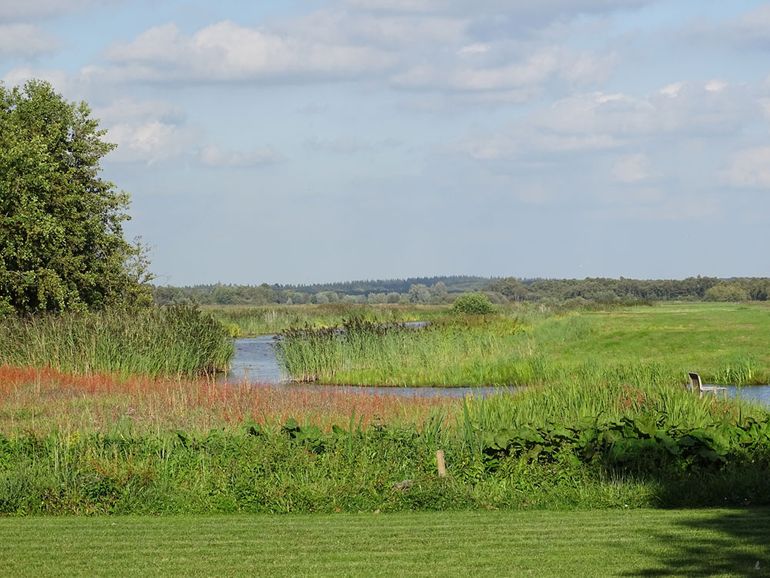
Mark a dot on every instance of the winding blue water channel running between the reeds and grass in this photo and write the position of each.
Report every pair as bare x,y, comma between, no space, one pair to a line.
255,362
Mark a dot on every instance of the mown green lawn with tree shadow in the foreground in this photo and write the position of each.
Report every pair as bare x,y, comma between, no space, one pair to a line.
540,543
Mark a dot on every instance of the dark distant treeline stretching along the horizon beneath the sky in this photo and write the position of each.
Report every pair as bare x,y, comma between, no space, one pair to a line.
500,290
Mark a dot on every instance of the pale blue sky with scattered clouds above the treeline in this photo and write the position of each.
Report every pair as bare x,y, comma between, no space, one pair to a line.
303,141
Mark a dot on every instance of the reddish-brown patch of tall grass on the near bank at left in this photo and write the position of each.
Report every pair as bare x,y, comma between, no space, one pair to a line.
45,400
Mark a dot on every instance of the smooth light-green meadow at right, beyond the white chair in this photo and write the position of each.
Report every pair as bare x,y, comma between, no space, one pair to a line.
725,342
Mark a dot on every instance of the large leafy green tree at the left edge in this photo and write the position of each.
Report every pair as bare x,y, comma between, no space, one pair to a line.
61,235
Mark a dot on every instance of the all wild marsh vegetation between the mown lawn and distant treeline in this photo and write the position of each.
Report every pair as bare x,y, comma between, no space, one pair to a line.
604,422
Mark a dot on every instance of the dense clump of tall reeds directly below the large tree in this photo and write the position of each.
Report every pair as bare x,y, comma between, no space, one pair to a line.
174,341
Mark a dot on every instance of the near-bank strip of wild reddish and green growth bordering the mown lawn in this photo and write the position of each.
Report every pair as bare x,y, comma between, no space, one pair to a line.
93,444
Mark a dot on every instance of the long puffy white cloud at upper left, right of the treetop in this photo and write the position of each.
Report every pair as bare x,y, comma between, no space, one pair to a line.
226,52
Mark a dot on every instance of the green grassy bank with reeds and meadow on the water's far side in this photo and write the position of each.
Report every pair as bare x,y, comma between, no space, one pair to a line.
726,343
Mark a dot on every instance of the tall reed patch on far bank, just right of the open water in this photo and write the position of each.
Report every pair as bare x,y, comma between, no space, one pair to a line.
454,351
